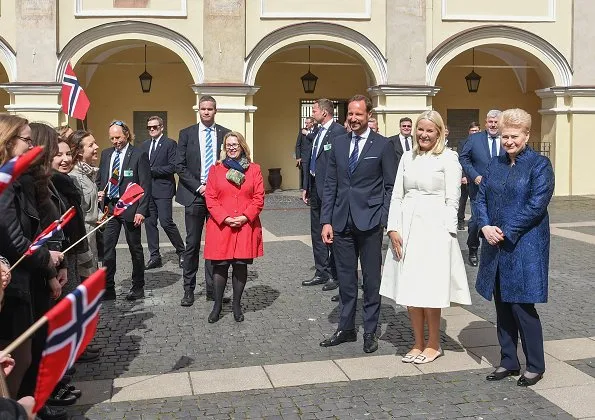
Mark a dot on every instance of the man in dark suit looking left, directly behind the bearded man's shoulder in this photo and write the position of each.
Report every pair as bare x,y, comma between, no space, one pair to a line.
314,173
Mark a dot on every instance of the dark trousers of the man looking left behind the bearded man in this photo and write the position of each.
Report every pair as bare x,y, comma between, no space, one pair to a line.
324,260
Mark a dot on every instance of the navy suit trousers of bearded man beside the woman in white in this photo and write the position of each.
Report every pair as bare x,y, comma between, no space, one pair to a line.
348,246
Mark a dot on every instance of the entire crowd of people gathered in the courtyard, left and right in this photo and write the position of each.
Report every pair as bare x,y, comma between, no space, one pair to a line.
357,183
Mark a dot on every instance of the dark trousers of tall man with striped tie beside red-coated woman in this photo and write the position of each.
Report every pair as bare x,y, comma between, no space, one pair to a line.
195,216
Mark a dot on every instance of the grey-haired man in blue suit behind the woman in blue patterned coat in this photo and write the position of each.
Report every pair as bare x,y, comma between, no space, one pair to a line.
474,158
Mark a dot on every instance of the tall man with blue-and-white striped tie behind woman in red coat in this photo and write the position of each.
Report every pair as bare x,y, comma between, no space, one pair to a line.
198,149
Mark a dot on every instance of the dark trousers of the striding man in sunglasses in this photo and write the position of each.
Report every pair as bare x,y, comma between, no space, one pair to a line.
161,209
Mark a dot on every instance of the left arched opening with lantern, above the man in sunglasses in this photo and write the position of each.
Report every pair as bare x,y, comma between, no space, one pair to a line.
109,73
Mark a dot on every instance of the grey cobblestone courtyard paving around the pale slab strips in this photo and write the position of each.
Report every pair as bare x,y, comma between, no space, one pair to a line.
285,322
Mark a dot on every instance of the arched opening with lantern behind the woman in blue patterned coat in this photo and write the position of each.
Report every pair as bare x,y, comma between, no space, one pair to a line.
509,79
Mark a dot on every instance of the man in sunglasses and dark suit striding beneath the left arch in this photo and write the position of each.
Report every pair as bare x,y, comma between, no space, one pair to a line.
162,160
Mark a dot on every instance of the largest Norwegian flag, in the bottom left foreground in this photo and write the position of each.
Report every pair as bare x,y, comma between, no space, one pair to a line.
71,326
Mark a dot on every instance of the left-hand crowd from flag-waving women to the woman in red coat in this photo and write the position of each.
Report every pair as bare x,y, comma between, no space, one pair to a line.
217,179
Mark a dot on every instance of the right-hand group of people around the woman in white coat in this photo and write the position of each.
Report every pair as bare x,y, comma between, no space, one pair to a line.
358,183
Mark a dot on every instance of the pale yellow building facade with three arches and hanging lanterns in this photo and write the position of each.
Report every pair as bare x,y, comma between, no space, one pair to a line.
407,55
